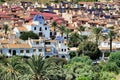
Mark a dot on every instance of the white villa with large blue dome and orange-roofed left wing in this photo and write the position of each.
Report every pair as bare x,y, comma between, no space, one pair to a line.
37,25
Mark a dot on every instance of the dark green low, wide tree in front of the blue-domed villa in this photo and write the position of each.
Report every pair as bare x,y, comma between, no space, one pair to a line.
30,34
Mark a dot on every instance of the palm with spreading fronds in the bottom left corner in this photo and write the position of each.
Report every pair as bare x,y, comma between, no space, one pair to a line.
12,68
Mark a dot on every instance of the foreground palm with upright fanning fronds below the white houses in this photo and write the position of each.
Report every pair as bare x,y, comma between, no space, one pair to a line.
36,65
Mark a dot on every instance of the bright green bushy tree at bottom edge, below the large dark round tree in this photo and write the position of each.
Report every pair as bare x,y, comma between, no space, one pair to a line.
78,69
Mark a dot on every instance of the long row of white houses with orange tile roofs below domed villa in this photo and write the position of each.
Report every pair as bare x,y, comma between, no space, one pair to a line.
45,48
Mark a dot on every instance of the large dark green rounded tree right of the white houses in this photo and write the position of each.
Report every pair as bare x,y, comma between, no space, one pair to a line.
89,49
